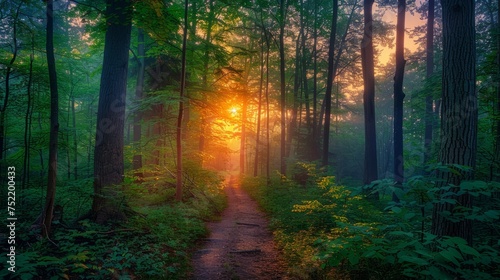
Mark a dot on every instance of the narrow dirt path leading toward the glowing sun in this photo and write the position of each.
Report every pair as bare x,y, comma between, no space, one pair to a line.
240,245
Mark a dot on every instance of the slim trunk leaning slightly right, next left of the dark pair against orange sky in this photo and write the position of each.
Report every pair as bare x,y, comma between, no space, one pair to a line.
329,83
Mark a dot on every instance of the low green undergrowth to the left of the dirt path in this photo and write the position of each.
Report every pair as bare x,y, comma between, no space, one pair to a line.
154,243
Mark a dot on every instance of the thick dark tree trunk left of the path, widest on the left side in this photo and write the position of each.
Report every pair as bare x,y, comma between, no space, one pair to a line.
108,152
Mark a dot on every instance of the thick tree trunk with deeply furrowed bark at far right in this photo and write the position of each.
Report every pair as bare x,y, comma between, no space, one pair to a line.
458,115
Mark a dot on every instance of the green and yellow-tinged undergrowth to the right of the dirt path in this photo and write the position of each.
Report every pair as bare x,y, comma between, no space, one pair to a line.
328,231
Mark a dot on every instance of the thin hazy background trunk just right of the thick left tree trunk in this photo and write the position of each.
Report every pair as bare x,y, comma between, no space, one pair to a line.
137,160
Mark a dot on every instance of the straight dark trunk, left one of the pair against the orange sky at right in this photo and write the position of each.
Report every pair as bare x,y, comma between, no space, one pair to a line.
370,163
